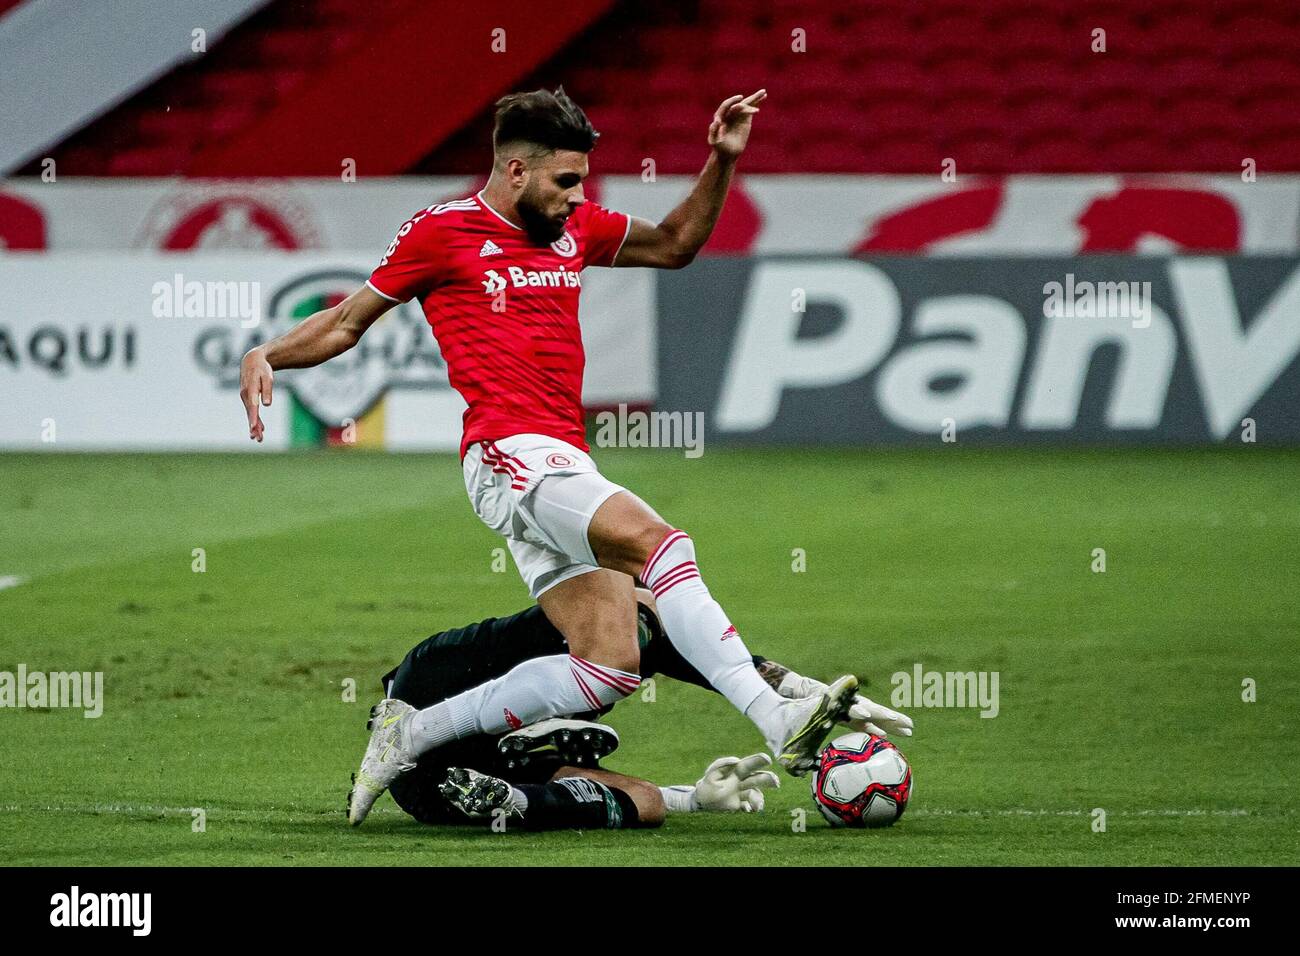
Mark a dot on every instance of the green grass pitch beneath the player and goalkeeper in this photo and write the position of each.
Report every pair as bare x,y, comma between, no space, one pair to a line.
1121,691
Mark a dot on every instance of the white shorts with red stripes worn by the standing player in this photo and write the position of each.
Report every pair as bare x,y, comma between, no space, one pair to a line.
540,495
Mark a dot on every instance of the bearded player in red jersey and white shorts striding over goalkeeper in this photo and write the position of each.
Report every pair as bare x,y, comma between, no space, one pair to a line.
500,275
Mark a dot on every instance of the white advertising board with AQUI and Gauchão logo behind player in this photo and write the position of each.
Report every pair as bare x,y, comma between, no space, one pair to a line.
142,352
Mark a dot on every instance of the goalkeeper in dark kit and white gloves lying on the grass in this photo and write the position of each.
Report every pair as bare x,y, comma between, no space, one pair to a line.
548,776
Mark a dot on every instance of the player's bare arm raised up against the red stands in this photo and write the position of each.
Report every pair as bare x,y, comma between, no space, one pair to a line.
674,244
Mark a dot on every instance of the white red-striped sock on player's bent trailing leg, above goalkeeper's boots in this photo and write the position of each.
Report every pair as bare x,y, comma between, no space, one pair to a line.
532,691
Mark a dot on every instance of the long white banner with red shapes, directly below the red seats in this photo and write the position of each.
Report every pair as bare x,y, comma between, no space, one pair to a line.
842,215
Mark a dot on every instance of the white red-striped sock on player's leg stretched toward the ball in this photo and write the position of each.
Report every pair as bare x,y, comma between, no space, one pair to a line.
700,630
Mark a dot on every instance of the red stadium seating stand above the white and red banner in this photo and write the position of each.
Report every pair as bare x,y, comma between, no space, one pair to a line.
889,86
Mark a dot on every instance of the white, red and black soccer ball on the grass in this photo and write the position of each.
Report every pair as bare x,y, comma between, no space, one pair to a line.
861,781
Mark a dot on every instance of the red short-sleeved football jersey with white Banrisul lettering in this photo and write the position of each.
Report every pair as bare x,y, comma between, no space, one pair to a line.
504,310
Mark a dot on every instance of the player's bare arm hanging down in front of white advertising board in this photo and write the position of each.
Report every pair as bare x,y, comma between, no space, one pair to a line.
315,340
